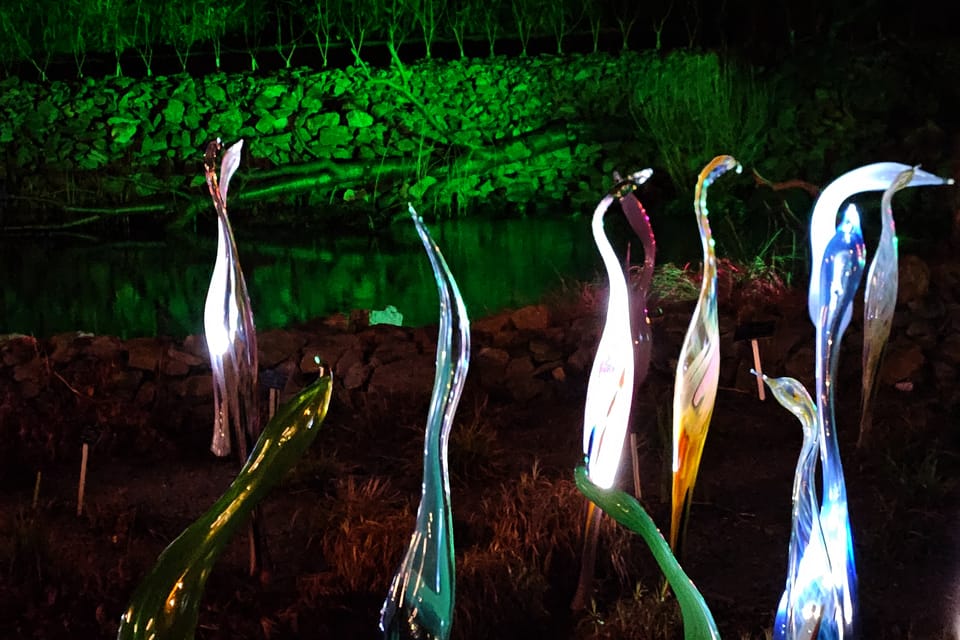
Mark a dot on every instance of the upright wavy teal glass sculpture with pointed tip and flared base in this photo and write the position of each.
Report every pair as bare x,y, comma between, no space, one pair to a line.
421,597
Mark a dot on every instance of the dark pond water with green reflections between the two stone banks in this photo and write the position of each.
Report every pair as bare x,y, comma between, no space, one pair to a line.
133,289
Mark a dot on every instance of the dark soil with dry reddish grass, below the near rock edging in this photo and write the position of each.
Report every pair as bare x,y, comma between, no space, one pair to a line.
338,524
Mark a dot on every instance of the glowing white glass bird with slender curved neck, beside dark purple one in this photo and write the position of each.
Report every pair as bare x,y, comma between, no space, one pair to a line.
606,412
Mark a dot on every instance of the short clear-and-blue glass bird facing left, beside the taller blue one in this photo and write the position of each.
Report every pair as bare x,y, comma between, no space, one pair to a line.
808,598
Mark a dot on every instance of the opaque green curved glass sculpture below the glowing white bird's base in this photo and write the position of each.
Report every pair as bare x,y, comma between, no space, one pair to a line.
698,623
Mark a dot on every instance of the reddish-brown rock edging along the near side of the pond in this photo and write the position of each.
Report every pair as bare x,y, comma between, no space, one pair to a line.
144,391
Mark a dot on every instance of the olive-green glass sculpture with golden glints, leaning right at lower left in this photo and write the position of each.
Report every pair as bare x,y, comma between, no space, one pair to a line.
166,605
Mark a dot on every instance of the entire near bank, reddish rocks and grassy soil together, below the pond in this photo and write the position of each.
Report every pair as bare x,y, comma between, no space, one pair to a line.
340,520
